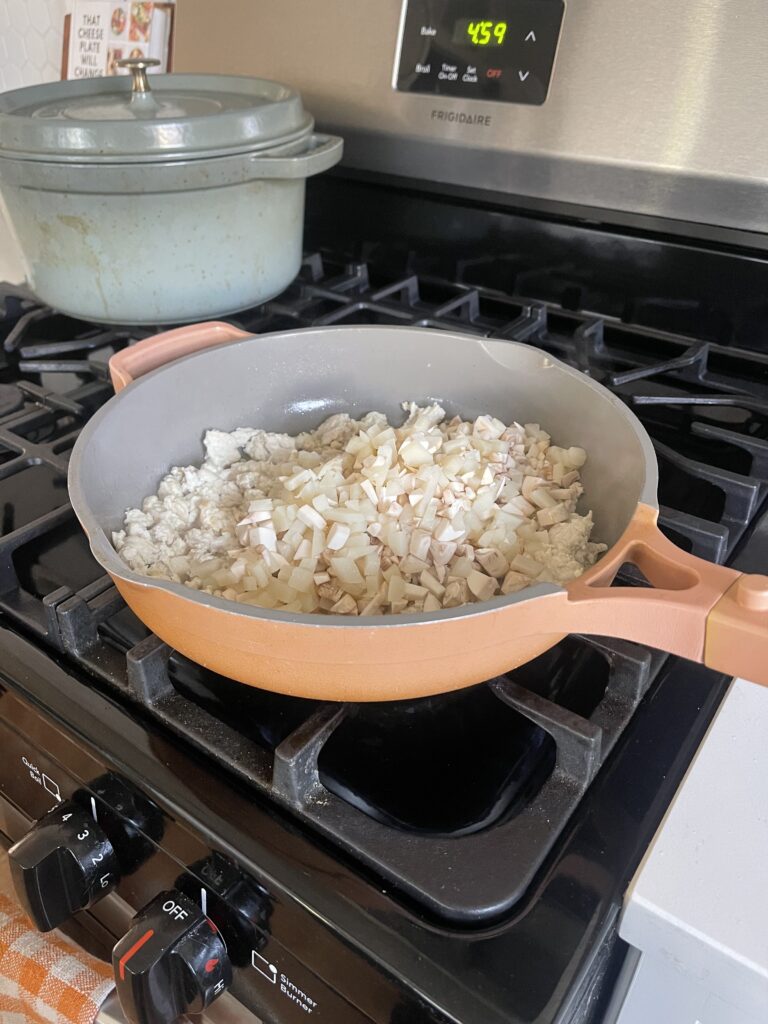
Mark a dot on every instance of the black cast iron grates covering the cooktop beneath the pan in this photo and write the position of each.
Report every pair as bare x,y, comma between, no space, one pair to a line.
400,787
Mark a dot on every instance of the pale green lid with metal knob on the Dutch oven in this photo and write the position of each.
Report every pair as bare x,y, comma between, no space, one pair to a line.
167,117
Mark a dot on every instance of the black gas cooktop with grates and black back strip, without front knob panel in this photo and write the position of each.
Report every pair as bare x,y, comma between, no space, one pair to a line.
508,818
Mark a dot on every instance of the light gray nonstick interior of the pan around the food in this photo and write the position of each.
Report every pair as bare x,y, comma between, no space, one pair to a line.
292,381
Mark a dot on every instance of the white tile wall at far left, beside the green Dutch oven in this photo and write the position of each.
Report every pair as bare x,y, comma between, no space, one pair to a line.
31,37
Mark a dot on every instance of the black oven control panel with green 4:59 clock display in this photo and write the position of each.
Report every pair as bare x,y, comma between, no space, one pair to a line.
501,51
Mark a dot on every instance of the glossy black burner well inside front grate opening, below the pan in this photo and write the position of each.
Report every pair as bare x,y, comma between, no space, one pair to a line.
407,764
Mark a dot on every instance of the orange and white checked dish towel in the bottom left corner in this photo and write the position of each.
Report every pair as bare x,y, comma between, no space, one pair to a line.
46,979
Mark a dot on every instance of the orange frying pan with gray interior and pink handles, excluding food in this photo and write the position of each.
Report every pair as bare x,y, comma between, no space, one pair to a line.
177,386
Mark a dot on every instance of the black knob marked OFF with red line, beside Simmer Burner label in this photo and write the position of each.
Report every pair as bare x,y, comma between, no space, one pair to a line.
173,962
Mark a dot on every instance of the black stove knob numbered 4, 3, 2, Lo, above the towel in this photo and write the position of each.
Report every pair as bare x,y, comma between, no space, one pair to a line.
64,865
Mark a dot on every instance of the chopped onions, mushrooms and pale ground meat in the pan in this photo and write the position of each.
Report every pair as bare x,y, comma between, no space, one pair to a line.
361,518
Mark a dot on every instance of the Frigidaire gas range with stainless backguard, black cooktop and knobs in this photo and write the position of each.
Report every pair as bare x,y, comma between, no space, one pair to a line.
460,860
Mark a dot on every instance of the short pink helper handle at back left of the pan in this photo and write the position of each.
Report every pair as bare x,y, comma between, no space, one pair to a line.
153,353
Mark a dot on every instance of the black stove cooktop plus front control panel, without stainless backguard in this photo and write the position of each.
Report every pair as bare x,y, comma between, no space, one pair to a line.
459,859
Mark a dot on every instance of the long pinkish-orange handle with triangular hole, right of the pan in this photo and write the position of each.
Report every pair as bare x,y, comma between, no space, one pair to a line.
708,614
